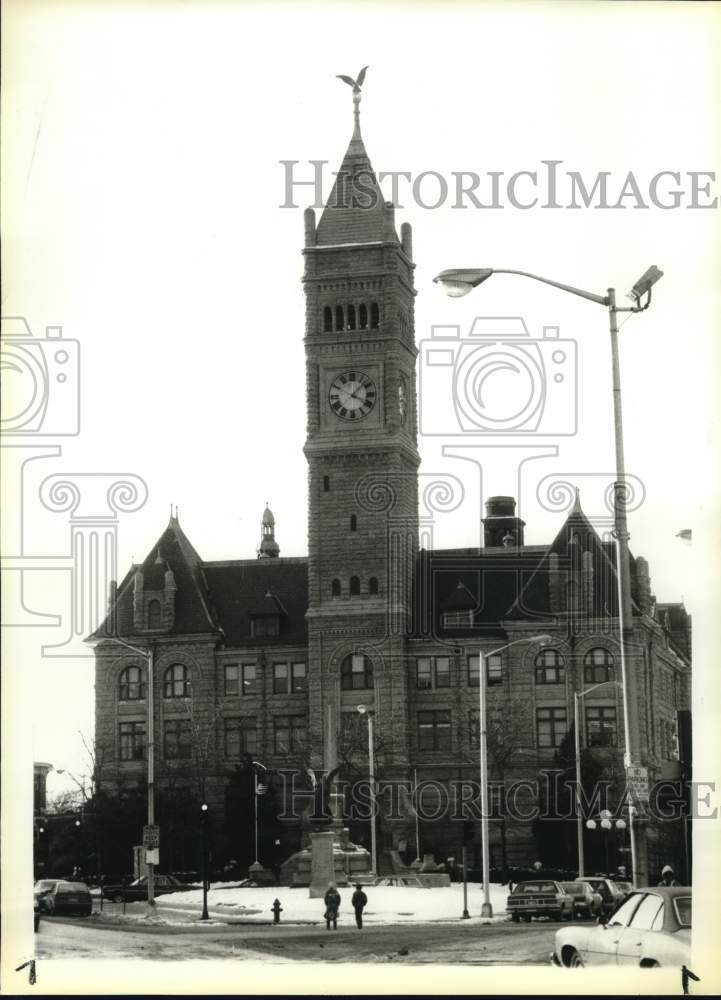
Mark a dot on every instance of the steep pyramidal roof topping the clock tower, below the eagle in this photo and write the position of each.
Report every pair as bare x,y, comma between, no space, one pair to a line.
356,211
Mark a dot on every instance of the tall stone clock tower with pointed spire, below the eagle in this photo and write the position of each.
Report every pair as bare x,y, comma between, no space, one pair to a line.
363,462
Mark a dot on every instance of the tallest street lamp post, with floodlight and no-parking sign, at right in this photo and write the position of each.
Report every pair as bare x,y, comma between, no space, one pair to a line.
461,281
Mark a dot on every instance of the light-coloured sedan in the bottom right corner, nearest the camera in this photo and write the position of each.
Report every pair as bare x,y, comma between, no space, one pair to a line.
651,927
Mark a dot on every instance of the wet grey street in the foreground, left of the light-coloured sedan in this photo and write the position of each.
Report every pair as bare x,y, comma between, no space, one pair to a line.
456,944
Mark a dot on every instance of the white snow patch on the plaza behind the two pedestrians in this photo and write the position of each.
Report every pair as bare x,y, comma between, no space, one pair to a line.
386,904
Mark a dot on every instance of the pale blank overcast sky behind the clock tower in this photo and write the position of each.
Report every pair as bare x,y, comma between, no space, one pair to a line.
142,197
